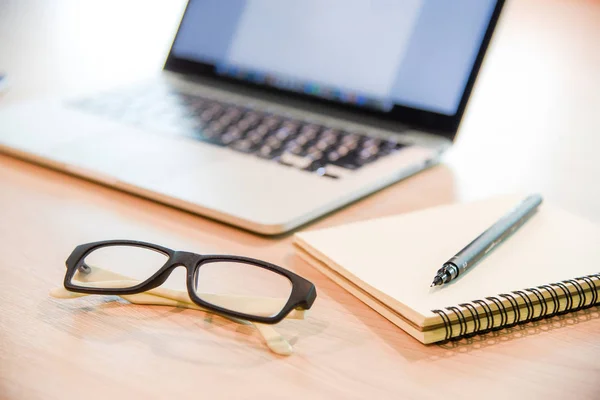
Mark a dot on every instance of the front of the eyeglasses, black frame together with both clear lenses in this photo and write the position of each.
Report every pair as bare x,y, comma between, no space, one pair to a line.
237,287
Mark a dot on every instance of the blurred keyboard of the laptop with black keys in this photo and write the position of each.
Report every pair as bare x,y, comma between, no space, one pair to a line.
309,146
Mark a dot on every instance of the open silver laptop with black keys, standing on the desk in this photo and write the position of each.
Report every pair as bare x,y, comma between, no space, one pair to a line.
268,115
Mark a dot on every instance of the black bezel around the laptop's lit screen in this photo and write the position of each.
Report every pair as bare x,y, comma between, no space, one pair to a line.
441,124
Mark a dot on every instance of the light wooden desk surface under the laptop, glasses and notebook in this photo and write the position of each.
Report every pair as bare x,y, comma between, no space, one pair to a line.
532,125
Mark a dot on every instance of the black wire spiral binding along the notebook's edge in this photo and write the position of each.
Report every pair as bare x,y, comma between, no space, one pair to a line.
587,289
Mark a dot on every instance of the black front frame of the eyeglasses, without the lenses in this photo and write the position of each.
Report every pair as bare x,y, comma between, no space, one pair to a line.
302,296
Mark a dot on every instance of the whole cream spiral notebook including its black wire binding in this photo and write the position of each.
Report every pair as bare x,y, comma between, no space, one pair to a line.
549,266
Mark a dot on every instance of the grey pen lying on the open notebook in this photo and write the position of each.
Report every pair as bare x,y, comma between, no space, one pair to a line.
484,243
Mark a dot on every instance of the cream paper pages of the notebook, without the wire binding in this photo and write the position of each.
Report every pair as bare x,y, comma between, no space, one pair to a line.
389,263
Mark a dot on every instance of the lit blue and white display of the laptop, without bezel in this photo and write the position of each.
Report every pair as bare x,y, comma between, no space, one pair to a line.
375,54
